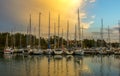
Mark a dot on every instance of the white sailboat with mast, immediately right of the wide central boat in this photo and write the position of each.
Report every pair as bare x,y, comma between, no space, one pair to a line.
68,51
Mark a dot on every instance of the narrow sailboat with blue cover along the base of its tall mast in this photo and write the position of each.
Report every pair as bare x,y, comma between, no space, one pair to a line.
49,50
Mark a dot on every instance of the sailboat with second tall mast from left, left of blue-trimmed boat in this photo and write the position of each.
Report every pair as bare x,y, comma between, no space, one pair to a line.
38,51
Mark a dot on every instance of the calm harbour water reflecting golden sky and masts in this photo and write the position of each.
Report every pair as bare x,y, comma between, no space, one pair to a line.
19,65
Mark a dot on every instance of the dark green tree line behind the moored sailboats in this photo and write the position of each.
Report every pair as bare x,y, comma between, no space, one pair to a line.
22,40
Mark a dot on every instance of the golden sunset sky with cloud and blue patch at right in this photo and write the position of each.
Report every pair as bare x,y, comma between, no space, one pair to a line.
15,14
